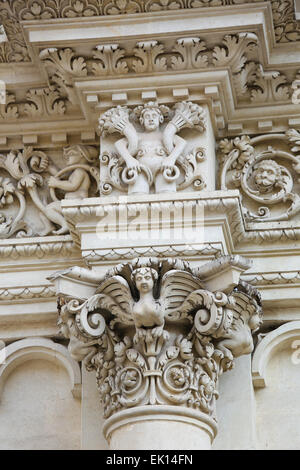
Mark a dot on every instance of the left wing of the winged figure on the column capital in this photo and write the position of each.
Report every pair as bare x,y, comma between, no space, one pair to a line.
114,296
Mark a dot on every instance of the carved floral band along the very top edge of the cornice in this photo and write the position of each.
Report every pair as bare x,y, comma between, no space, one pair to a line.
285,26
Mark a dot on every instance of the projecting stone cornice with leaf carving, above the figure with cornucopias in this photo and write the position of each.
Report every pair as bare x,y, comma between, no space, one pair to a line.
84,65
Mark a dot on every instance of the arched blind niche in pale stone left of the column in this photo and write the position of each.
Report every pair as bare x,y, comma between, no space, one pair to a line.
38,410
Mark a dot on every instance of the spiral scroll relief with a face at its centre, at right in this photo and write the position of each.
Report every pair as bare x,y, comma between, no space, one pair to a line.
266,169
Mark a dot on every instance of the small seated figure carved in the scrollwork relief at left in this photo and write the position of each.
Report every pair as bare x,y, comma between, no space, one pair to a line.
78,183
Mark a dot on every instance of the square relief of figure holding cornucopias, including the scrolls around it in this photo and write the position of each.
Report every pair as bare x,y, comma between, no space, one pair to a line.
152,158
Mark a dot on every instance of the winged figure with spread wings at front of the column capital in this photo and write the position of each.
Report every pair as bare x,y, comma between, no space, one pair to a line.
143,310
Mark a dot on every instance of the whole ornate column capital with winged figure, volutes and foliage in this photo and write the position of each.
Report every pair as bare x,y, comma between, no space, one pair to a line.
155,335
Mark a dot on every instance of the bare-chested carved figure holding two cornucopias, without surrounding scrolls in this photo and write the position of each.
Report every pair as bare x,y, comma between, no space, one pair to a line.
150,156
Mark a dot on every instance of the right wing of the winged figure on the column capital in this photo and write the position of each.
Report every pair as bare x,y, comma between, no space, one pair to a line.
175,288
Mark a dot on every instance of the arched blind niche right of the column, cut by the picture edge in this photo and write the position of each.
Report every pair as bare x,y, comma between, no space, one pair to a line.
275,371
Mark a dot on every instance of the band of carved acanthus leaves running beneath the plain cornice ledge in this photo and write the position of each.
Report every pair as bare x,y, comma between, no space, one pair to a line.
239,52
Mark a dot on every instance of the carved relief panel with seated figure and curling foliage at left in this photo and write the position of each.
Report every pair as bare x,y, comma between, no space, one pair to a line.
32,183
